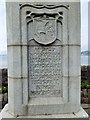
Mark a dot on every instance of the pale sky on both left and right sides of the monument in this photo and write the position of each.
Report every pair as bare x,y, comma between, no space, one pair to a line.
84,26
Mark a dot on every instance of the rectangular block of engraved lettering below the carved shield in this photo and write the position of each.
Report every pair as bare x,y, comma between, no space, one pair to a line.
45,71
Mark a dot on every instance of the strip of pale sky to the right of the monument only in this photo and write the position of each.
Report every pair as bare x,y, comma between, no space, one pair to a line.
84,25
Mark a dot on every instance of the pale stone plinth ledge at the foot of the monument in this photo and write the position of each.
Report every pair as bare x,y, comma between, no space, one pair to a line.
81,115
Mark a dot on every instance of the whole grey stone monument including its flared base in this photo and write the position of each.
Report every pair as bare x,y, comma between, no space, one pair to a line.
43,61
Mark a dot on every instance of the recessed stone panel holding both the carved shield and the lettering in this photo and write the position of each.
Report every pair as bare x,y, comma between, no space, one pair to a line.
44,52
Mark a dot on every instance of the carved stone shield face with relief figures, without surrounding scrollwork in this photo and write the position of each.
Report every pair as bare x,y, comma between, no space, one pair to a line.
44,30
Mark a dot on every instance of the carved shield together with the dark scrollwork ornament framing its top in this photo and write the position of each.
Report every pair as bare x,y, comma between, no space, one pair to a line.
44,26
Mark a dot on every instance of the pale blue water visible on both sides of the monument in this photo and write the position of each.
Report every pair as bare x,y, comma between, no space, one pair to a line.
3,61
